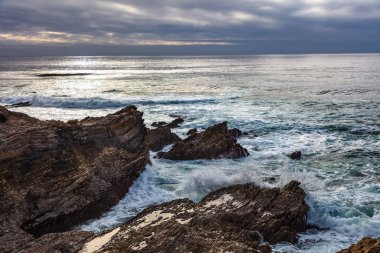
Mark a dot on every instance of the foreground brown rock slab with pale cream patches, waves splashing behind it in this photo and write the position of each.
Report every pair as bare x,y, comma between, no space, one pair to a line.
233,219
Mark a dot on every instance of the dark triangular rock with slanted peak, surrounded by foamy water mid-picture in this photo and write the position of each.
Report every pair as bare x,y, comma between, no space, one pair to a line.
214,142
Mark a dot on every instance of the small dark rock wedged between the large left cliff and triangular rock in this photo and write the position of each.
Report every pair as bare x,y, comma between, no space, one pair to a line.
160,137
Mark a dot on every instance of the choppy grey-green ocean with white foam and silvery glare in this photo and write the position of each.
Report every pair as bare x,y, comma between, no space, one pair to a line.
327,106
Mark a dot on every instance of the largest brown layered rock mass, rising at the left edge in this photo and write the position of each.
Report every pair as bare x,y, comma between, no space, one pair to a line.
55,175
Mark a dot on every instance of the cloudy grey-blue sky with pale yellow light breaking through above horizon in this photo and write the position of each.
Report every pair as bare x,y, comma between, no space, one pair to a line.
188,27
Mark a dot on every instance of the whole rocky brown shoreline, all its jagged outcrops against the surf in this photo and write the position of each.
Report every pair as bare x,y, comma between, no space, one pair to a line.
56,175
